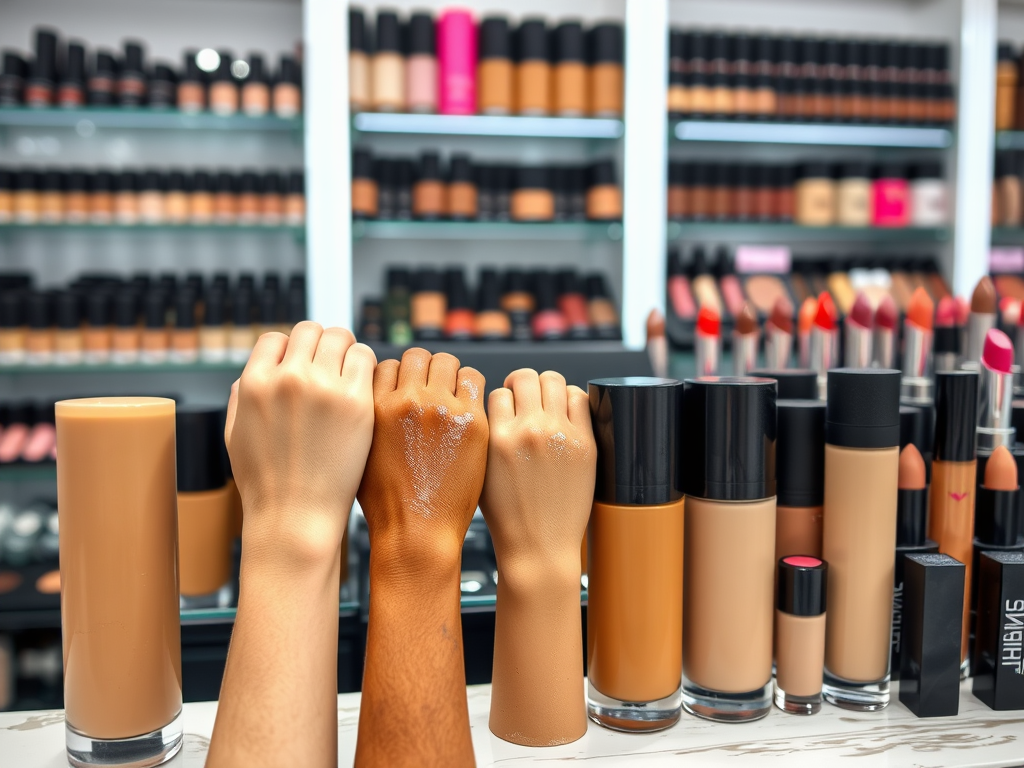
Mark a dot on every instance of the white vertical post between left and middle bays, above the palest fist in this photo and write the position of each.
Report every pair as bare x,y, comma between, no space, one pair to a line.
329,237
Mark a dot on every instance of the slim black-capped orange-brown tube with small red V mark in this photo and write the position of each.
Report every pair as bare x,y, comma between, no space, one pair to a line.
955,468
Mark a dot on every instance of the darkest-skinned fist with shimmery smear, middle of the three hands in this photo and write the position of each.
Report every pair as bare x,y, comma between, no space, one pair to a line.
423,479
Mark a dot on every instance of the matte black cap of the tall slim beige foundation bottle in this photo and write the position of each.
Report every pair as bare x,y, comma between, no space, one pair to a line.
863,408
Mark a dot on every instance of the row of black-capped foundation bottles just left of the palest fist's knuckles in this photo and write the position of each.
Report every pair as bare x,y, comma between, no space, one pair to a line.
100,320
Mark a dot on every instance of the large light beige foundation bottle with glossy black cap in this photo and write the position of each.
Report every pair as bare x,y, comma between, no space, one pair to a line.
729,470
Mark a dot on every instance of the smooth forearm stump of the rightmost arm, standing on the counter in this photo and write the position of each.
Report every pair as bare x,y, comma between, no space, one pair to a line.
537,686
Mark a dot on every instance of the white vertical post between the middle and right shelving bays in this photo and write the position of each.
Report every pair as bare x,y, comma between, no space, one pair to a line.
647,163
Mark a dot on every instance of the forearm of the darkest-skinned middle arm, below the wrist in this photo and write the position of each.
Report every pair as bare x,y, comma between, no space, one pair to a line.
414,709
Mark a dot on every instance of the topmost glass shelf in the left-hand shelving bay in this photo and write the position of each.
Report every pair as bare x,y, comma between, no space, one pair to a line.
87,118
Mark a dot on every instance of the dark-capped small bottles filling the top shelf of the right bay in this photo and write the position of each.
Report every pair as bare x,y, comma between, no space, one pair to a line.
723,75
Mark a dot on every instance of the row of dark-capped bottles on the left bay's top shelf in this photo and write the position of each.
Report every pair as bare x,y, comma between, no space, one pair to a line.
59,76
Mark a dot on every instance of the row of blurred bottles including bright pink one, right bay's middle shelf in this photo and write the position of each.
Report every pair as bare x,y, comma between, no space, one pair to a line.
816,194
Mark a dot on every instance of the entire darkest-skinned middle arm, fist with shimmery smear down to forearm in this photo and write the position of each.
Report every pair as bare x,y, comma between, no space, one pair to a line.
419,492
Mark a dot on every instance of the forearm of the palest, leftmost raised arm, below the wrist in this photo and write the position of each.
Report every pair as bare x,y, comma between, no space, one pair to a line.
279,697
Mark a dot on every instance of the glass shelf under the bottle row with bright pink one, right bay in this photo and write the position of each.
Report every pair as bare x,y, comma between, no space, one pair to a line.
769,233
